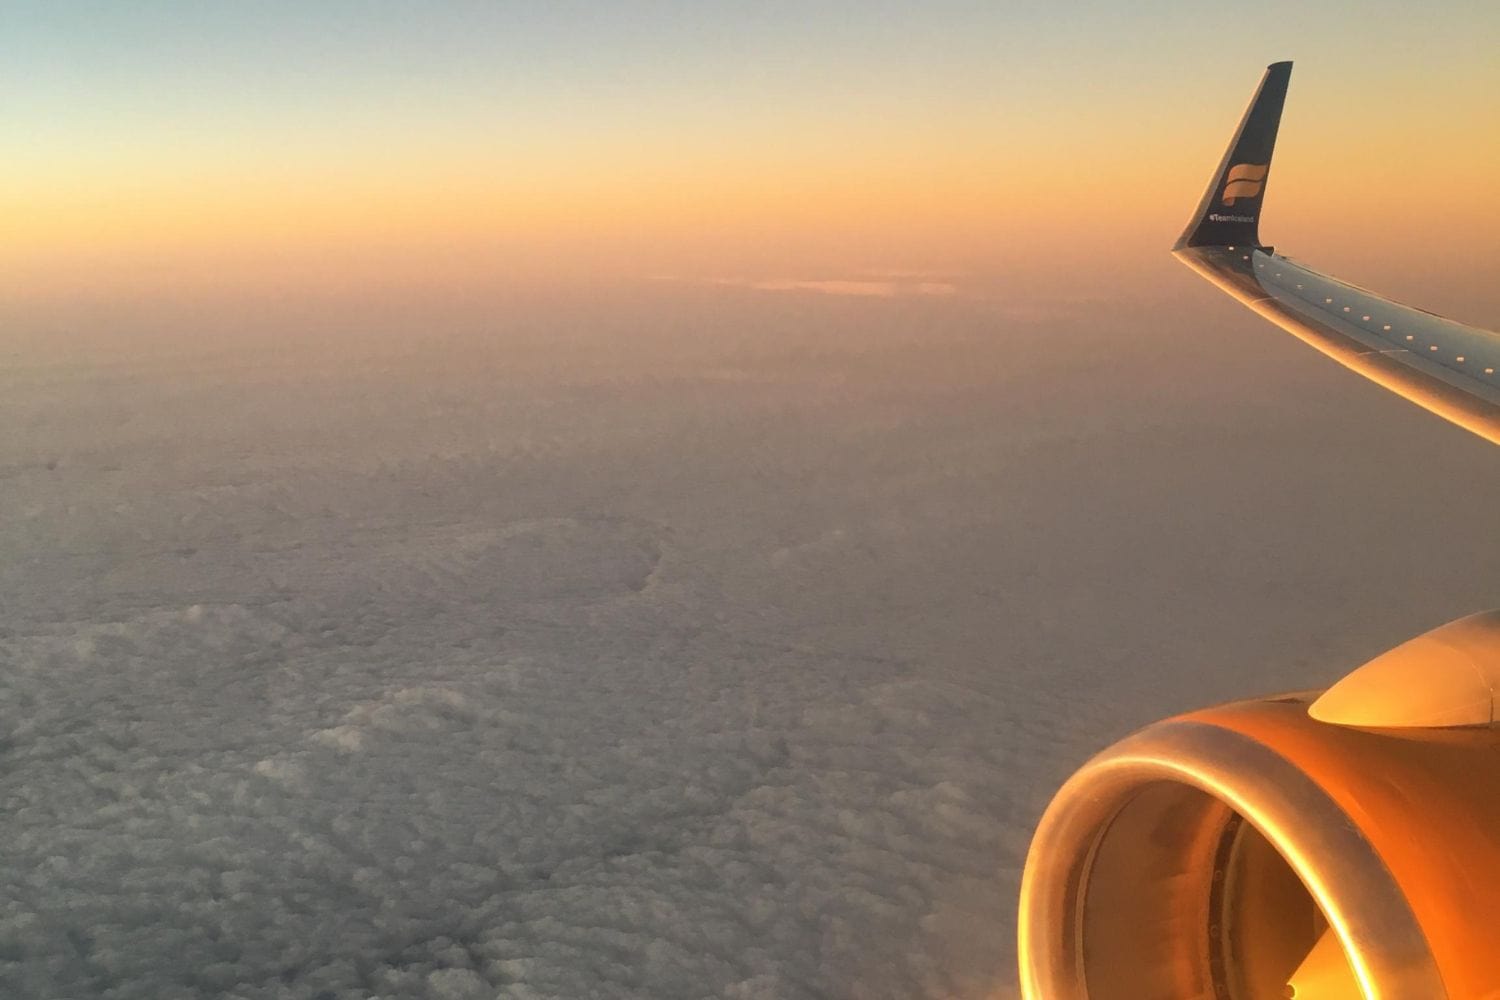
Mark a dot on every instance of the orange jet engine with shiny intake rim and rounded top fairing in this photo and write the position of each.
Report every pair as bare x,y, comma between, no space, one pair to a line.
1342,848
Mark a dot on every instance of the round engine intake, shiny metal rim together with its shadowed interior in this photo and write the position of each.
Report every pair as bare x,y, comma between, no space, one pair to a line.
1195,861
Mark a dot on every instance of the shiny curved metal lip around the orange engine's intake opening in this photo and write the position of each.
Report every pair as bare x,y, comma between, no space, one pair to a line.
1336,863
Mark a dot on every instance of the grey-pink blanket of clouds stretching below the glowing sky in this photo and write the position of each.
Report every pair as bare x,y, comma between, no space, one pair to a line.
724,650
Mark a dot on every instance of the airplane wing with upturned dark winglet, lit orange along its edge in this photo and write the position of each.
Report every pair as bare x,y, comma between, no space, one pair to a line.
1451,370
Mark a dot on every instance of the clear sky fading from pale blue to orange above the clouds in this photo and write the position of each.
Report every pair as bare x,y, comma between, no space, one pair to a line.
172,149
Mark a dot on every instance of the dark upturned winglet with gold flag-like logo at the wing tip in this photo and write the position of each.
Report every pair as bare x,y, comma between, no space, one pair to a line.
1229,214
